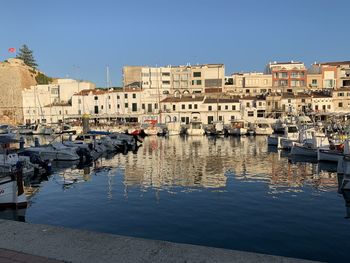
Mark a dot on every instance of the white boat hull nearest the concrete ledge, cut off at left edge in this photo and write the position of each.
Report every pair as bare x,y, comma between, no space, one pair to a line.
11,190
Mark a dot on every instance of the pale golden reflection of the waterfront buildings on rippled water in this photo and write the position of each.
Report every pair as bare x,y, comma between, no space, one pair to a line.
202,162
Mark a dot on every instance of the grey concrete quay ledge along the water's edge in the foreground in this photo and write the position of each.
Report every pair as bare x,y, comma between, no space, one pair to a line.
73,245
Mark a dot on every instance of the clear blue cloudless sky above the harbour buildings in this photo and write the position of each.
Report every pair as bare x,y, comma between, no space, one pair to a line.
79,39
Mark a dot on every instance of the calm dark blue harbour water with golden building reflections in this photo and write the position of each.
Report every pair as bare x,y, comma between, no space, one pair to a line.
232,193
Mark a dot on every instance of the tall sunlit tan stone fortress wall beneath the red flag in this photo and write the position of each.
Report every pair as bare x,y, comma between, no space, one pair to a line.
14,77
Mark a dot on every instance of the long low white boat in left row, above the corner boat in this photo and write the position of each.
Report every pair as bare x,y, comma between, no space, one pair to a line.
55,151
